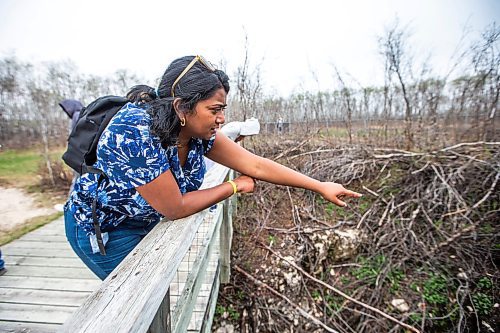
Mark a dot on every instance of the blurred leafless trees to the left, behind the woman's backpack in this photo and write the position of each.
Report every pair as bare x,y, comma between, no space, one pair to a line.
29,98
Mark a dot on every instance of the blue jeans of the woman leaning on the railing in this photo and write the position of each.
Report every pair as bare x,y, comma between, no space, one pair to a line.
122,240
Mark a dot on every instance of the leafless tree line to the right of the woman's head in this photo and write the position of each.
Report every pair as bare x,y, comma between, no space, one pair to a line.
461,103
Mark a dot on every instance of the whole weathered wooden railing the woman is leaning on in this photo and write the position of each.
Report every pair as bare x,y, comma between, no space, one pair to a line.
137,295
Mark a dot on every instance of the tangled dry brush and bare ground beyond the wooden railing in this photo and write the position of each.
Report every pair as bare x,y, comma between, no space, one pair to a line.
419,251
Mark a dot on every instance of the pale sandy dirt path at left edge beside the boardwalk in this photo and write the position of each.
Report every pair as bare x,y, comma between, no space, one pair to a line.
16,207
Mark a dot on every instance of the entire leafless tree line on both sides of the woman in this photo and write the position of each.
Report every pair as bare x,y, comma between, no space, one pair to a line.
461,104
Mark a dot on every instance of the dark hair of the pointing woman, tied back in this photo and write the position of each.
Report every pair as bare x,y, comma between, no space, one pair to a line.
198,84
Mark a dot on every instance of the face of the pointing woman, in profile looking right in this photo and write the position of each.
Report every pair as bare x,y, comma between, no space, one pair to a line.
207,117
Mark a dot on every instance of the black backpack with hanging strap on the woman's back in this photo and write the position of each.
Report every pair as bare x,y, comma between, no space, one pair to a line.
81,153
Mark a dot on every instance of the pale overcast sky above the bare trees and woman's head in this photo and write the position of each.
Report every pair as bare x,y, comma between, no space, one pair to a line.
290,39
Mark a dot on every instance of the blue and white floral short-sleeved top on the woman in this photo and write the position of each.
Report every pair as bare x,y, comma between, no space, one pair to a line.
131,156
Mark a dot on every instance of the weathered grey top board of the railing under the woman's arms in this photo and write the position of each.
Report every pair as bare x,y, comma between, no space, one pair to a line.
135,296
